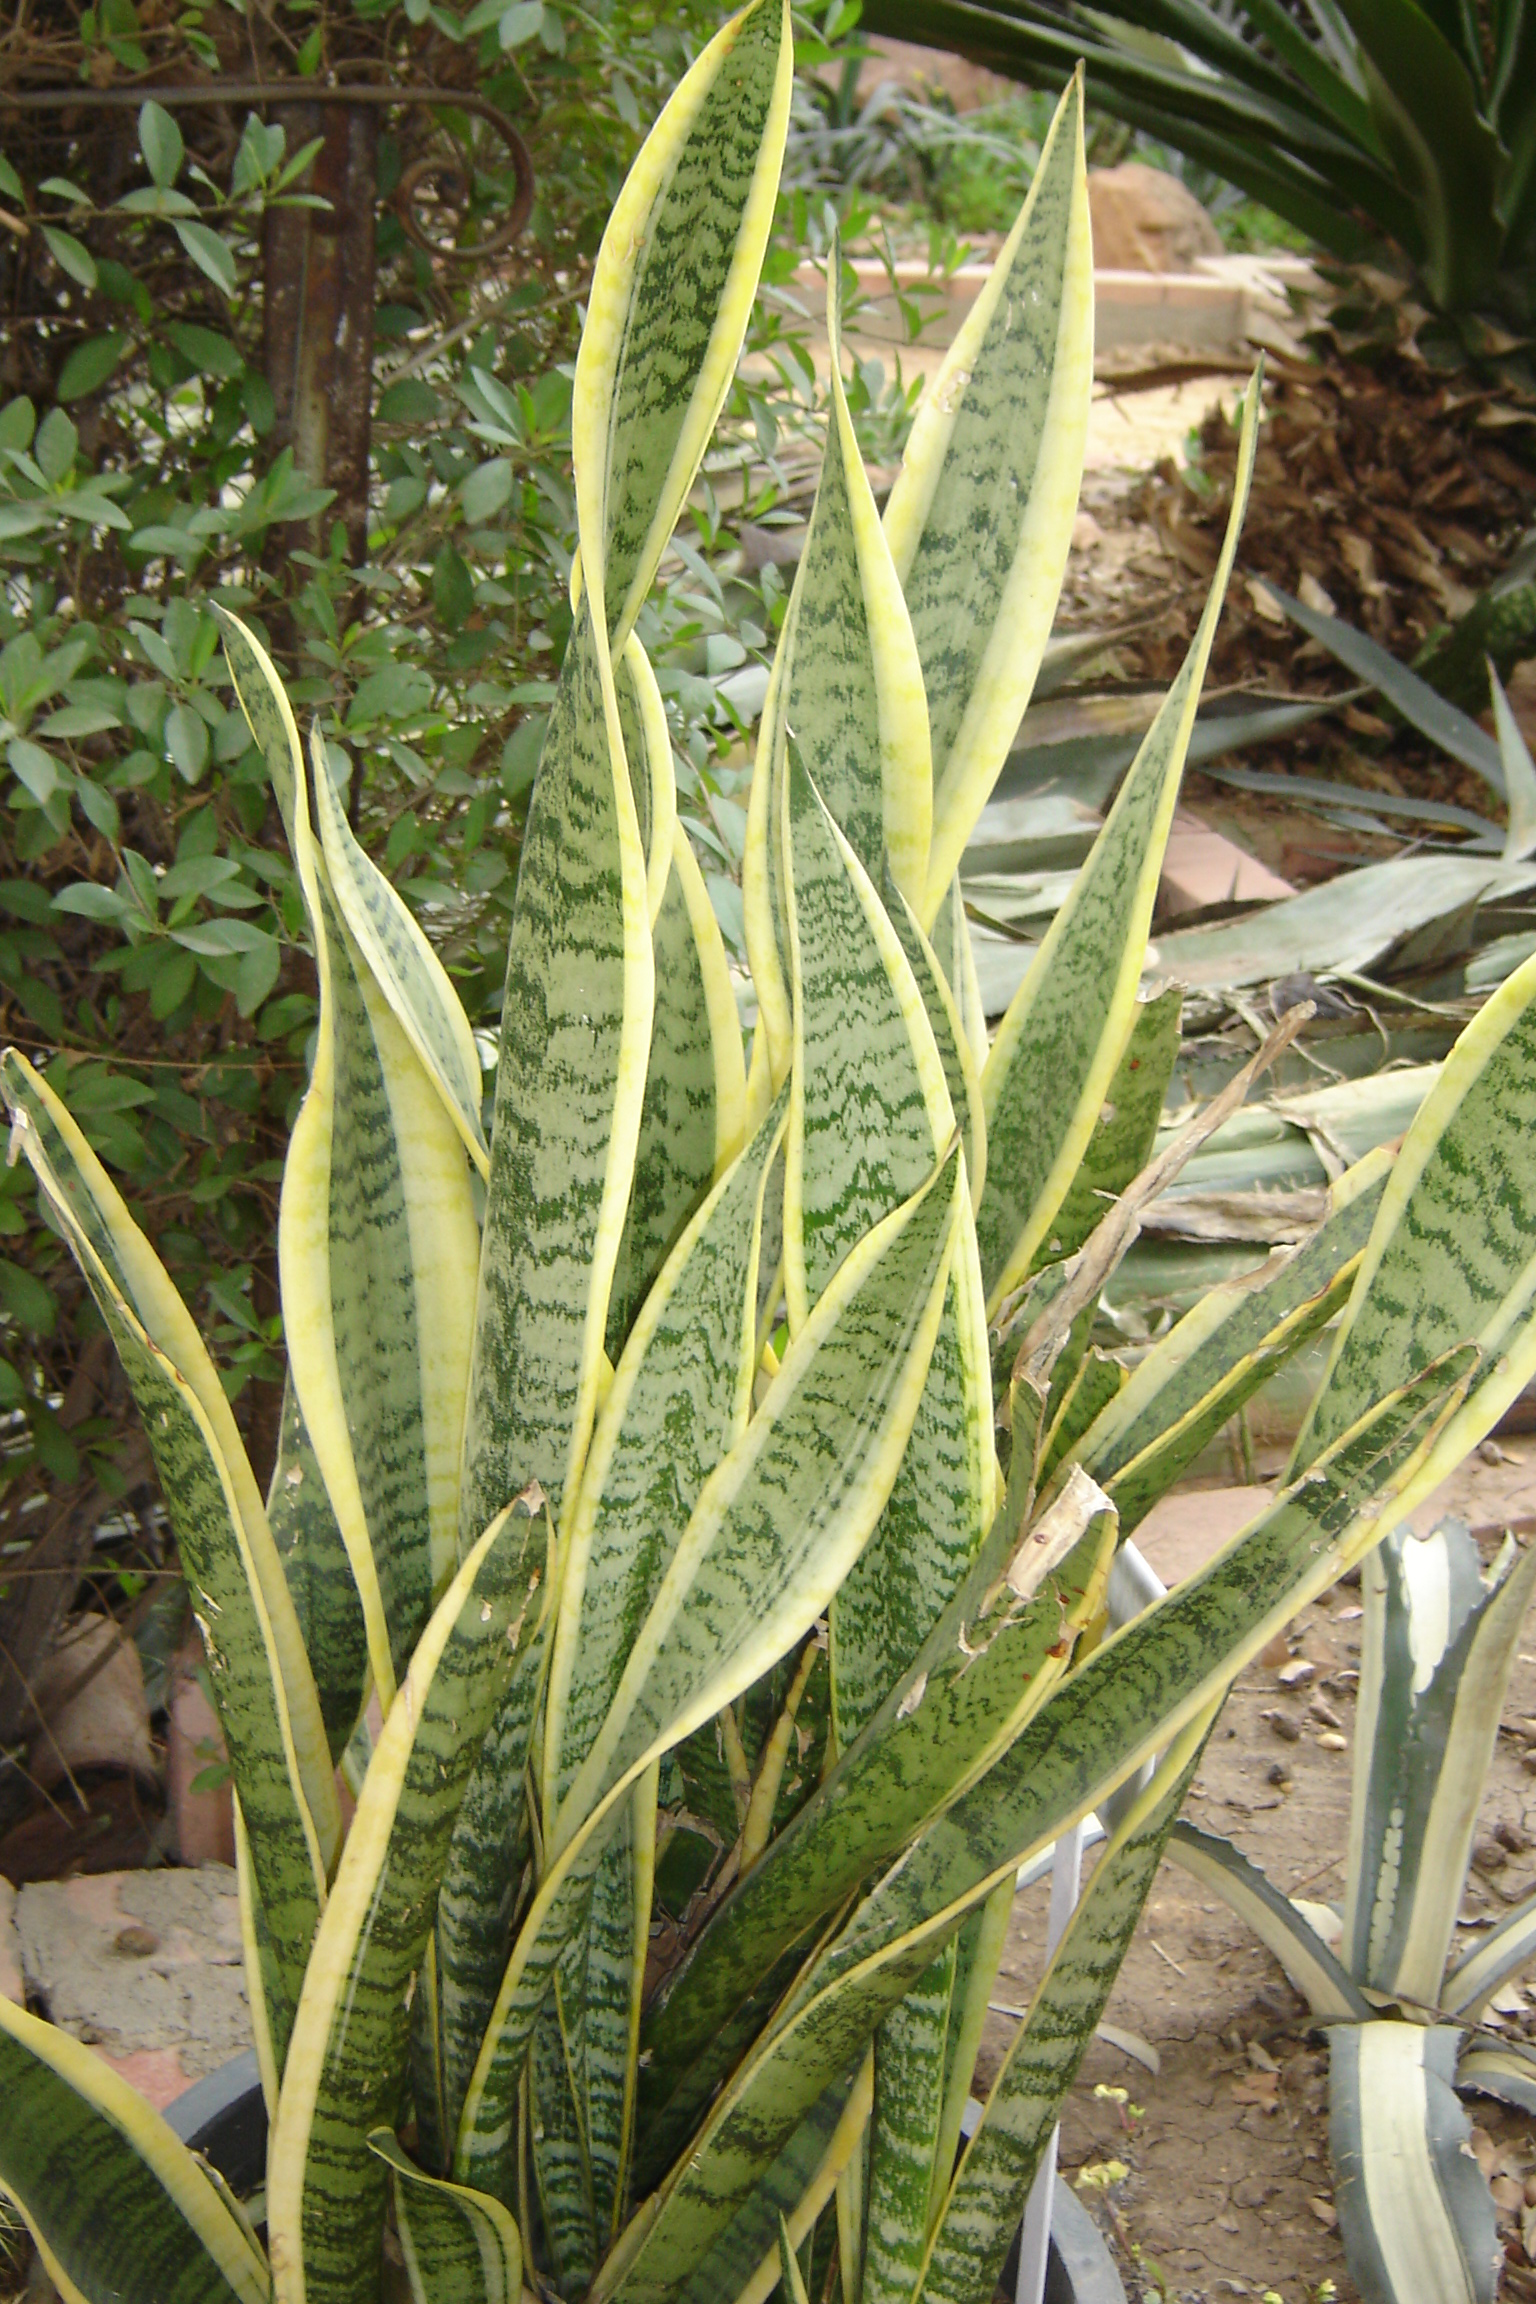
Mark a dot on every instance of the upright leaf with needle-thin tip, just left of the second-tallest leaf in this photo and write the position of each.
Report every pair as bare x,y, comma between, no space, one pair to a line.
853,697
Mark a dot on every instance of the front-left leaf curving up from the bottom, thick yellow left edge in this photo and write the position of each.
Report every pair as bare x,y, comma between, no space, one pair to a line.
347,2063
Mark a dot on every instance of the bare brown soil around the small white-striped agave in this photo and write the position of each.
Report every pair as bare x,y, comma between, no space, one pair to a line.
1229,2188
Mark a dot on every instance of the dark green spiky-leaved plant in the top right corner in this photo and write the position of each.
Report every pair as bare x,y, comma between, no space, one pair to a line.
1371,126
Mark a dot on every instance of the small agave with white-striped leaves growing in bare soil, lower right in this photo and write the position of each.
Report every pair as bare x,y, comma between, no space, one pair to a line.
1401,2017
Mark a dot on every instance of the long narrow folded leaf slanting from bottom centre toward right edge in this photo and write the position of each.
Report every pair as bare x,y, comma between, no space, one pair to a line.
1136,1692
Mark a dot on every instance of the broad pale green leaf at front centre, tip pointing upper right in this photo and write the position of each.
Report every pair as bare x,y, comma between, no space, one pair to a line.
789,1510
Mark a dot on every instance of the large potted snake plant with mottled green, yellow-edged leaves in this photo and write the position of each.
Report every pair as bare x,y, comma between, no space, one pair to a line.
651,1453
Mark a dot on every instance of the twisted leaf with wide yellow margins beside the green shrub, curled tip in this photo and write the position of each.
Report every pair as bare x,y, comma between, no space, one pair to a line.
377,1208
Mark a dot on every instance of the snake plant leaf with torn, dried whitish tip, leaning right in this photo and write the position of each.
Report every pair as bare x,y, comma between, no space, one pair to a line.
994,1658
